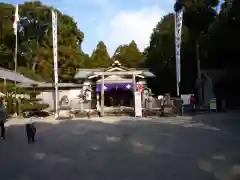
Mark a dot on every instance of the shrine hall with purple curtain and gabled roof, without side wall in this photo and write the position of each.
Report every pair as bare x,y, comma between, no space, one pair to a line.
116,84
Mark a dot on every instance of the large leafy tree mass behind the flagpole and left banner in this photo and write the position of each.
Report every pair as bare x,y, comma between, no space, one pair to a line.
35,41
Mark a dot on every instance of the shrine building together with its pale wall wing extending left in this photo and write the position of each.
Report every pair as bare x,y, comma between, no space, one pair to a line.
117,82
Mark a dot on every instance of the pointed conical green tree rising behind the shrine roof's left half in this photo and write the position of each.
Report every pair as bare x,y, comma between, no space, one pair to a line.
100,57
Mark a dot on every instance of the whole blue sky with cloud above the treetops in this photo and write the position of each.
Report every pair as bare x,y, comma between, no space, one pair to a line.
114,22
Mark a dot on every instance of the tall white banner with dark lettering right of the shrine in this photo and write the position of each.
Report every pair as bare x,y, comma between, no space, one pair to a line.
178,32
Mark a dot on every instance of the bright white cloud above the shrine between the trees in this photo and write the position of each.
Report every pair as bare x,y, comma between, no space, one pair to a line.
126,26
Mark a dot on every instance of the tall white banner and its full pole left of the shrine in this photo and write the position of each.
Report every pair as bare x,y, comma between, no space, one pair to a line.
55,58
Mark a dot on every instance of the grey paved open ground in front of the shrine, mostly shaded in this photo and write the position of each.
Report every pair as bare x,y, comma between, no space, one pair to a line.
182,148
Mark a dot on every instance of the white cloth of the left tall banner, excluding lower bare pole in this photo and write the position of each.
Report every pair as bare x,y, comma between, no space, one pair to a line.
55,50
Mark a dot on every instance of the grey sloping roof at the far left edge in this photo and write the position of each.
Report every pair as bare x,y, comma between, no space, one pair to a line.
12,76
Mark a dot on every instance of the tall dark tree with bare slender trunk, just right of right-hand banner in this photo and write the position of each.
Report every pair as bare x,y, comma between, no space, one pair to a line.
202,12
